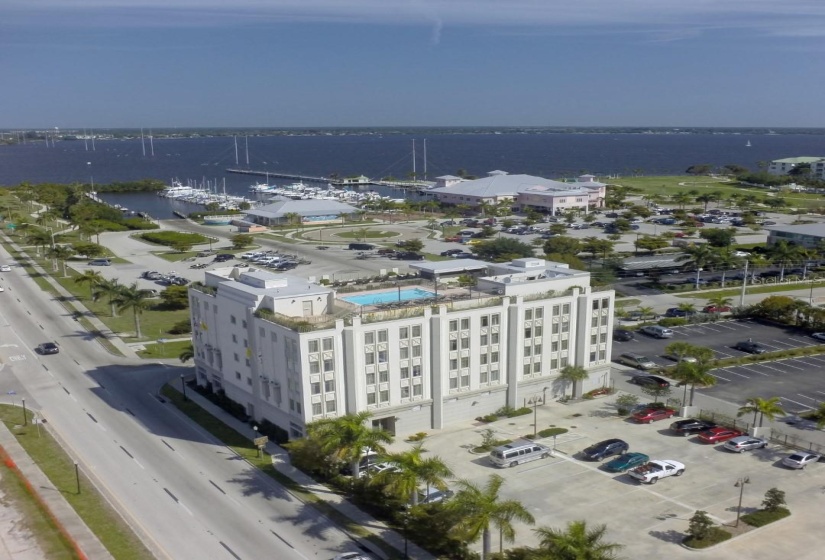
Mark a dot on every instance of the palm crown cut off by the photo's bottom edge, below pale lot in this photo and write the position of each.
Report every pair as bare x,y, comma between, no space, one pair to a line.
578,542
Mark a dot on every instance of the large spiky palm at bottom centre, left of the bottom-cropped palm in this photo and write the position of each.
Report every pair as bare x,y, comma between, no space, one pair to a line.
480,508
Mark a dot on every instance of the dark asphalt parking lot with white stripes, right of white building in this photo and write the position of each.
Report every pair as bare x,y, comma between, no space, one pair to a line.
798,382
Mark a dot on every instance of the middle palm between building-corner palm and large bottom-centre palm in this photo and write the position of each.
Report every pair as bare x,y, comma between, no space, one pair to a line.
413,469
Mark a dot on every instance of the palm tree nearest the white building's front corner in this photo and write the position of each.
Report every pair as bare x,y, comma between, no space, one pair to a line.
346,437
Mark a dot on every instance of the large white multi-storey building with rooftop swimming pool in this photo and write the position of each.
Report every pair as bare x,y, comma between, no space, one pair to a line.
292,351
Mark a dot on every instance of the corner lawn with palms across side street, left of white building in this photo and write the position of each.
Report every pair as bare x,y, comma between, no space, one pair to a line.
153,322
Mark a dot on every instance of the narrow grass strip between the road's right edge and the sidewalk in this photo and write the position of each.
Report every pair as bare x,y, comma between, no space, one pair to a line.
244,447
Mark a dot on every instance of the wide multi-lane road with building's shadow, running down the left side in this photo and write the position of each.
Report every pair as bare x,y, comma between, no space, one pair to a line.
186,495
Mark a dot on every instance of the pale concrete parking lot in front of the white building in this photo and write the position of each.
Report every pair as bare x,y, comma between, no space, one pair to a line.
642,517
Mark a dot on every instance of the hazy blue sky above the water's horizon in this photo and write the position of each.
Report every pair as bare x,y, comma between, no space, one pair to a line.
325,63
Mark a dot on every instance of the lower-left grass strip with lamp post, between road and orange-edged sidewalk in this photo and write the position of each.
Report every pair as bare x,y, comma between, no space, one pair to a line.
93,508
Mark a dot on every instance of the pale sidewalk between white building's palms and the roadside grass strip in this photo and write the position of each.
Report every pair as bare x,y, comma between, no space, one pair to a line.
280,460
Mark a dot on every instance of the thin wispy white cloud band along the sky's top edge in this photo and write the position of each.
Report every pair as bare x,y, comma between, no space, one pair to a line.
670,18
